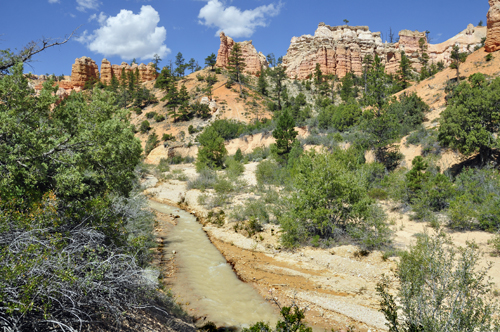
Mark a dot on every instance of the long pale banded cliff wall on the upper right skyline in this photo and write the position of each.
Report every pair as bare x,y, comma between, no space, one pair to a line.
341,49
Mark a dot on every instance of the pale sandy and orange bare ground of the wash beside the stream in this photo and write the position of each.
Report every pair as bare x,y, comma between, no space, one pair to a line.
336,285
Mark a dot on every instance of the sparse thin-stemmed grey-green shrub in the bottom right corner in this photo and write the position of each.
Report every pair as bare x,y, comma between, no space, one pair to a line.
440,289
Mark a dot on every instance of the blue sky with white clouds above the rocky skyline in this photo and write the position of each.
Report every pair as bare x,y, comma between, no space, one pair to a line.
123,29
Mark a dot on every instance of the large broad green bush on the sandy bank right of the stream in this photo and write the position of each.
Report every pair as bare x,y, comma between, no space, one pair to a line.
330,199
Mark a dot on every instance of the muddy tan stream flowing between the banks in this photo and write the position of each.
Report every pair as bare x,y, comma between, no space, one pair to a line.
207,281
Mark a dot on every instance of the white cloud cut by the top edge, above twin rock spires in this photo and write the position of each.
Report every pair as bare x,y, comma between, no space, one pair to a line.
234,22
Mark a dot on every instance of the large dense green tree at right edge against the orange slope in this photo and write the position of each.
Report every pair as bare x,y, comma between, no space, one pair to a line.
470,122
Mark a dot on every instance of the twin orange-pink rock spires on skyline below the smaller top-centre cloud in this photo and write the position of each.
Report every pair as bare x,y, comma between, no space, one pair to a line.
253,60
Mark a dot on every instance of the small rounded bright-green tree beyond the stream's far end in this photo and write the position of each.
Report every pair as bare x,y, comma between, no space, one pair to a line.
212,151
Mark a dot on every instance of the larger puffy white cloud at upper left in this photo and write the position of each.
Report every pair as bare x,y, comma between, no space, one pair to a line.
128,35
